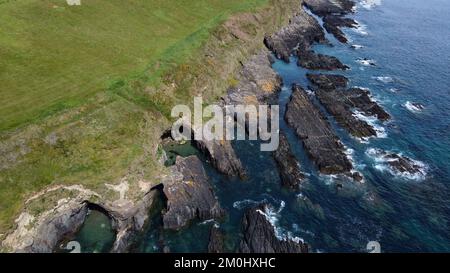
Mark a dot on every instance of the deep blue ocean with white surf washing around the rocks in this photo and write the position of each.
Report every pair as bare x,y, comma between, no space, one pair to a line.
409,41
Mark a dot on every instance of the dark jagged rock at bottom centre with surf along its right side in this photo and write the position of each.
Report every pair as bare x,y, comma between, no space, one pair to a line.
259,235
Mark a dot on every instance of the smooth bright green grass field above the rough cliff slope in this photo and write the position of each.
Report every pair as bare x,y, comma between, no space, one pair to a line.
54,56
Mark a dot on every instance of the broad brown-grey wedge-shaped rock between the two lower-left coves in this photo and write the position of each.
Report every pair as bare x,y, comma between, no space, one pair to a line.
189,195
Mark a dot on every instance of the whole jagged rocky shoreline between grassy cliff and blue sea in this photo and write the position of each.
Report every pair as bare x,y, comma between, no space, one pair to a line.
187,190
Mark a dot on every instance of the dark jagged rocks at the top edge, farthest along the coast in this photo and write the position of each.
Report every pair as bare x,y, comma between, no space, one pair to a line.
333,12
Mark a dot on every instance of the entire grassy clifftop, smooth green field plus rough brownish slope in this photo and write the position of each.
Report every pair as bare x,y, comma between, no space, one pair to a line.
86,90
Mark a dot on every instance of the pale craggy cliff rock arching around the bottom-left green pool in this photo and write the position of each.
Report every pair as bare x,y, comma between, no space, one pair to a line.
41,233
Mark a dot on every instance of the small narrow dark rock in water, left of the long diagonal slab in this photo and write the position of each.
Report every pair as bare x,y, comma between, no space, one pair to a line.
288,166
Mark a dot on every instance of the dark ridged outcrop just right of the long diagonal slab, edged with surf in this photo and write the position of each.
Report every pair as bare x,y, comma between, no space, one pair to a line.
341,103
